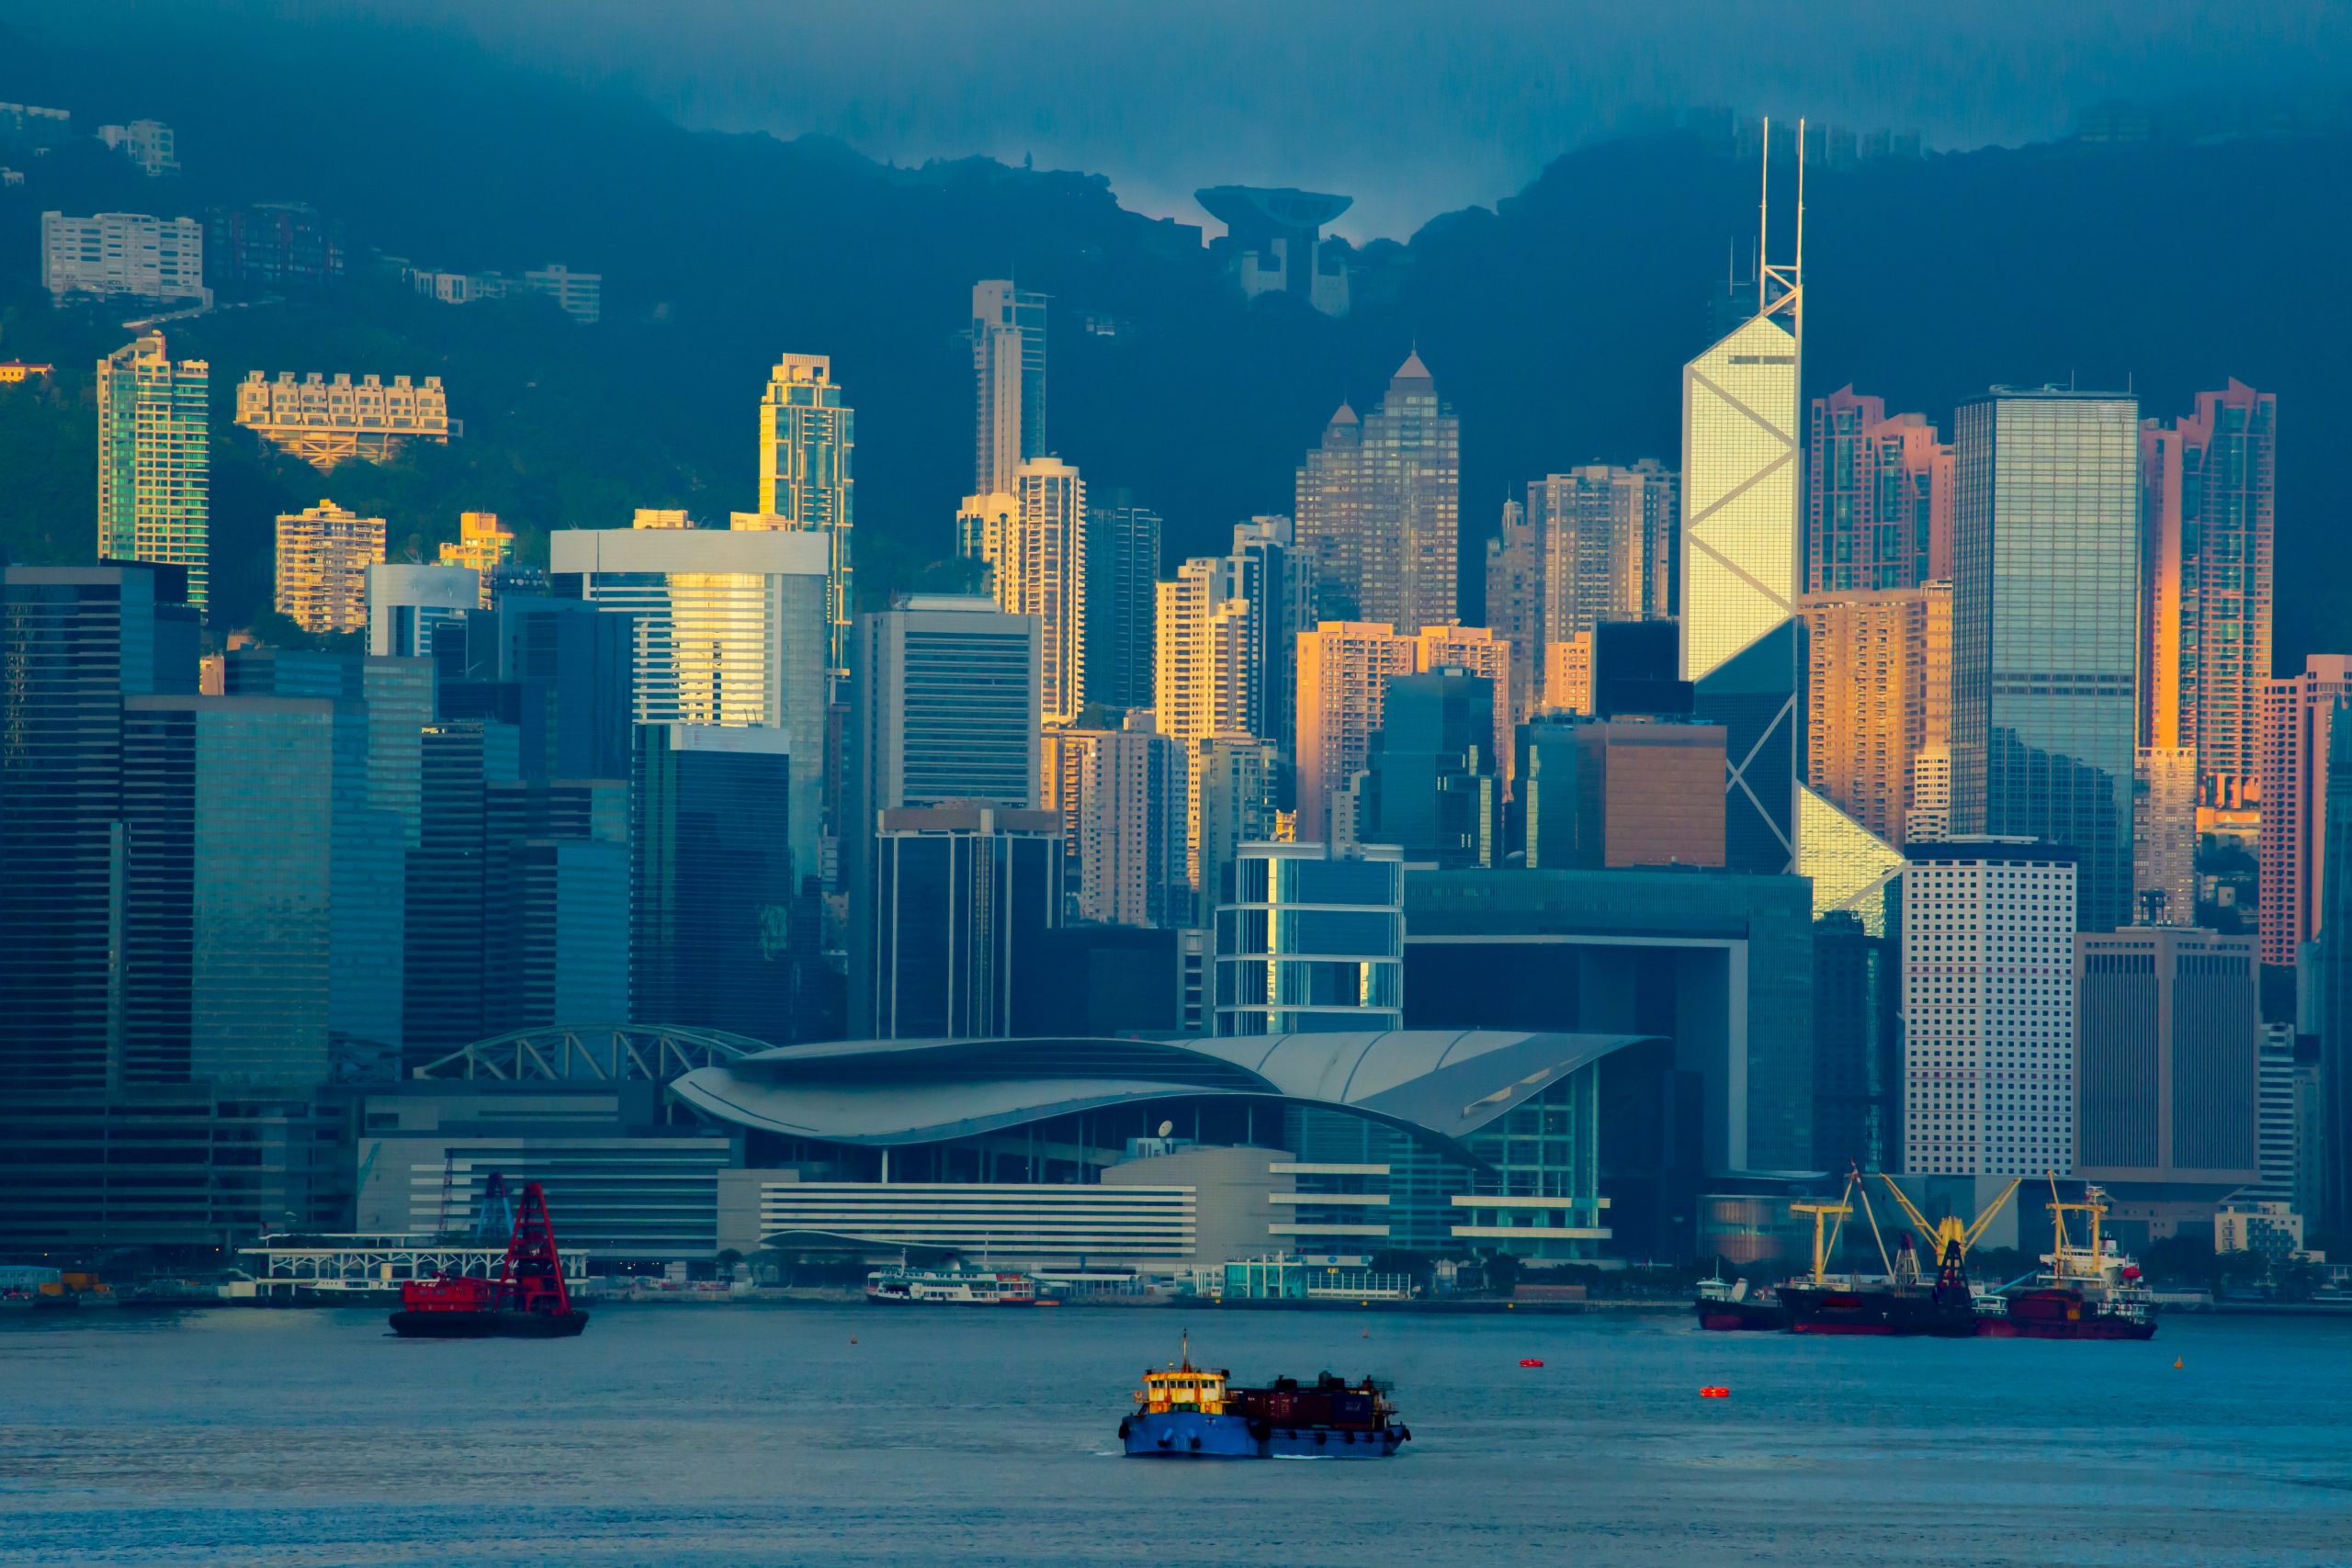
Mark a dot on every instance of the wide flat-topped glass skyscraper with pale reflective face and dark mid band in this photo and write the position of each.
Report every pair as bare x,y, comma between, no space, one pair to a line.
2047,626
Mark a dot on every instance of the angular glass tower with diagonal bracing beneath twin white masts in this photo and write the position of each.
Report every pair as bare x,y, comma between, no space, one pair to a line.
1742,565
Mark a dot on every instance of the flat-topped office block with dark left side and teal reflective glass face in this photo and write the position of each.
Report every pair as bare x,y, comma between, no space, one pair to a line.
225,906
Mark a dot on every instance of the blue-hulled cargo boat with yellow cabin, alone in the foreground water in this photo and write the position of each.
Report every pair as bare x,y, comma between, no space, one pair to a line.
1196,1414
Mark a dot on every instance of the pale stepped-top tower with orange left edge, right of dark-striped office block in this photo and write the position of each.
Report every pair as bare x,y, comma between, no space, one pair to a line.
1123,800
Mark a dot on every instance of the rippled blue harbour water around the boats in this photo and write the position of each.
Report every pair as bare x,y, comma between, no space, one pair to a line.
970,1438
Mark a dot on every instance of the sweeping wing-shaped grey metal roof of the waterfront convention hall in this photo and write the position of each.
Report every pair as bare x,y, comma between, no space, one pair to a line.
1434,1085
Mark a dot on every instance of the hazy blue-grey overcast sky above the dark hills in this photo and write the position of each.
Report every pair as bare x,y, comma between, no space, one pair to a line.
1410,107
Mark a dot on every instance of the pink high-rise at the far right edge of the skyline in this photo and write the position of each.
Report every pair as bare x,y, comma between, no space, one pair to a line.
2297,728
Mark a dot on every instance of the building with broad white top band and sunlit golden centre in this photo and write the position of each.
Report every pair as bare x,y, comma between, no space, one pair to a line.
730,631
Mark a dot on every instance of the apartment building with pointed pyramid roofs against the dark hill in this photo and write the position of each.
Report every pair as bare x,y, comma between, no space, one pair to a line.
1379,509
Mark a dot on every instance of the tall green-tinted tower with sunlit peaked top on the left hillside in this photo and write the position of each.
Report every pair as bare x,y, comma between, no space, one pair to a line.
156,462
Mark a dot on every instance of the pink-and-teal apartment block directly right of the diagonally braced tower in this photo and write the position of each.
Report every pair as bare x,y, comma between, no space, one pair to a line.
1880,500
